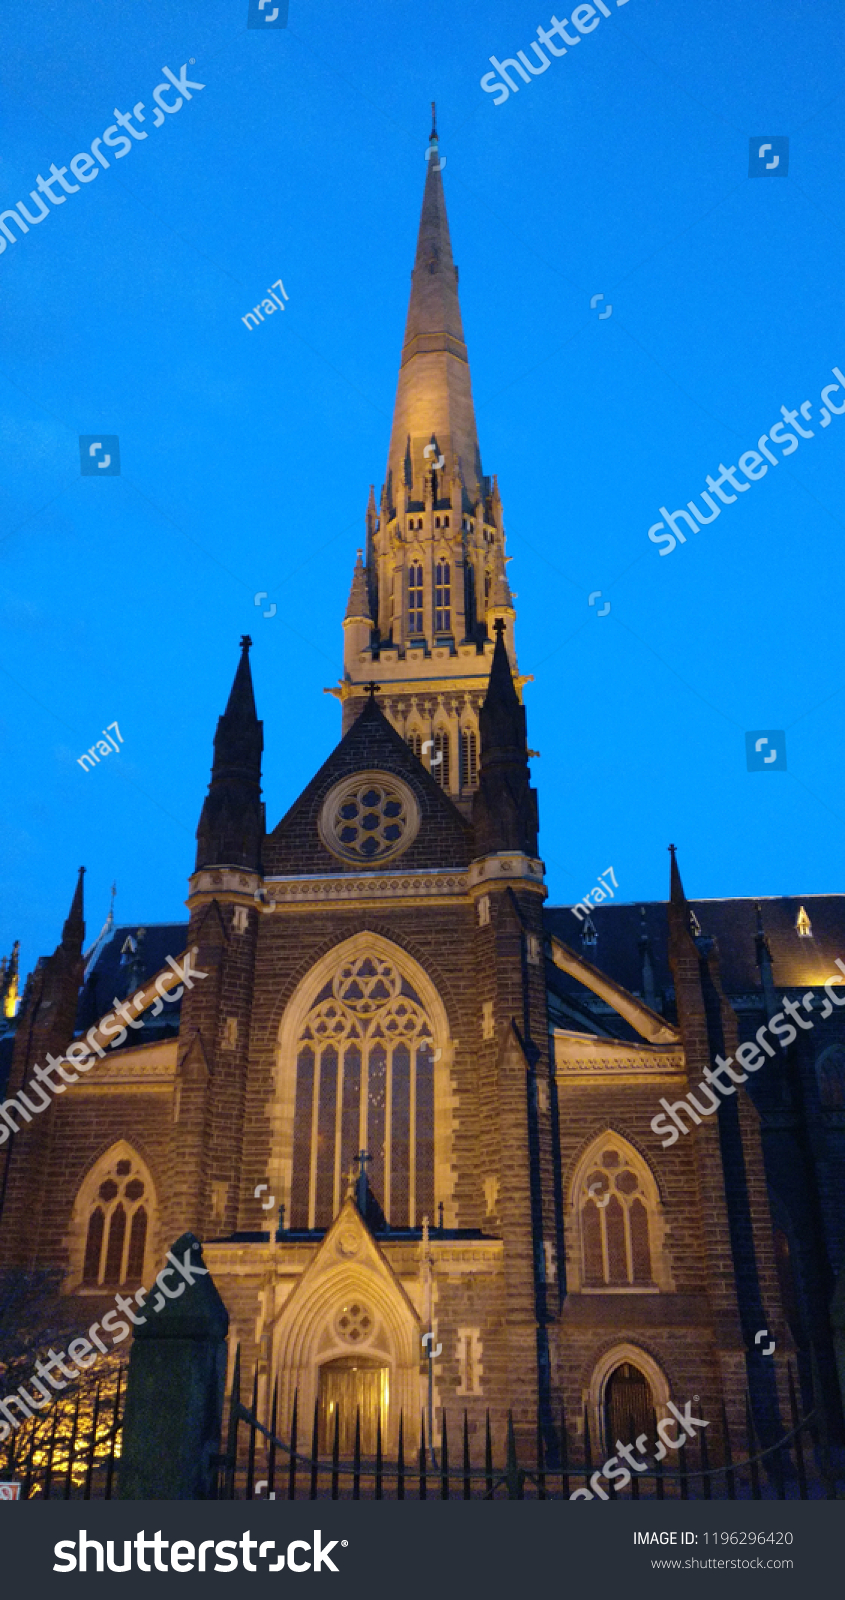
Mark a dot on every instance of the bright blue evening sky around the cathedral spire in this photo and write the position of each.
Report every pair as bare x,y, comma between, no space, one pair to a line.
247,455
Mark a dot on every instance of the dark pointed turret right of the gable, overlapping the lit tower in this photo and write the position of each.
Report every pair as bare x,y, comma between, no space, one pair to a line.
505,809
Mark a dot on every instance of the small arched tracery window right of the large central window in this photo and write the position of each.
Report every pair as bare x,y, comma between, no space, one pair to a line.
615,1202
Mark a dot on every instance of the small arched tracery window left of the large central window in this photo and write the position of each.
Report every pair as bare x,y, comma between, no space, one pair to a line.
116,1220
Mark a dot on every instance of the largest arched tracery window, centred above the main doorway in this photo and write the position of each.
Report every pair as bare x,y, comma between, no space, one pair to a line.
364,1082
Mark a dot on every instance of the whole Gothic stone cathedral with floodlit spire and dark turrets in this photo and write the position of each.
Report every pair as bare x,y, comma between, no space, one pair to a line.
401,1095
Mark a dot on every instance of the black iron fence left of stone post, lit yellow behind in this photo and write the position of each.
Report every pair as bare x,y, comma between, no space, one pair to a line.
73,1450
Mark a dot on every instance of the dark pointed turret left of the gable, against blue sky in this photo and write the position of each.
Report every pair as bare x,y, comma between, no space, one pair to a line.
233,817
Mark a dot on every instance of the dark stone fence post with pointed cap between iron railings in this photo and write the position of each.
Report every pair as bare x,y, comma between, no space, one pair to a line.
172,1423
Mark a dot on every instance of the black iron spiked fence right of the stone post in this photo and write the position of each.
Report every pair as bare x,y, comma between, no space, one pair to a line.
258,1463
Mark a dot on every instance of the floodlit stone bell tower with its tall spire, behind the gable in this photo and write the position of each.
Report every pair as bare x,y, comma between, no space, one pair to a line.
431,580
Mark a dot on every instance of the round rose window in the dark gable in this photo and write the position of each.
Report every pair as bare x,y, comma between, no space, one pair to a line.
369,818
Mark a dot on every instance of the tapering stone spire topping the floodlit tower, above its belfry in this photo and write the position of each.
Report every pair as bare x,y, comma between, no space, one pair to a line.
435,394
